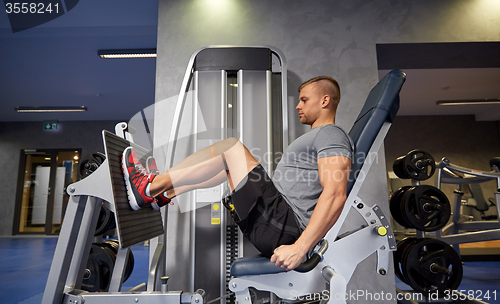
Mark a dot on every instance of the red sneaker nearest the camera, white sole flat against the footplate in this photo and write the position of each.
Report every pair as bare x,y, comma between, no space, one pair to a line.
136,180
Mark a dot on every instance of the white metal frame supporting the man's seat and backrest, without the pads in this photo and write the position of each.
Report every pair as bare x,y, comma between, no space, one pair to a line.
344,252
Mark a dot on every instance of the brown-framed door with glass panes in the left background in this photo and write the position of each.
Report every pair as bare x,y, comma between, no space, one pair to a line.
41,194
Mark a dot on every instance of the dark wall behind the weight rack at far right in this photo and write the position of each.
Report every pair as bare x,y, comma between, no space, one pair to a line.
461,139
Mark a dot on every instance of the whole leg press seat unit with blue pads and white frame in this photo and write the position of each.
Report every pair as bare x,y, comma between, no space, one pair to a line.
332,265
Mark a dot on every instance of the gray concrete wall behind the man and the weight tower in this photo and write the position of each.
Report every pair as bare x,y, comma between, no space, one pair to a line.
335,37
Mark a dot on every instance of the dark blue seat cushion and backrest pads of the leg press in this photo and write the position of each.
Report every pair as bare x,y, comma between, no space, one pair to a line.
381,105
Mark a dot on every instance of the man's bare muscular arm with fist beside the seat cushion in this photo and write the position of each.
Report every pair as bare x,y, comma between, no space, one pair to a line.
333,176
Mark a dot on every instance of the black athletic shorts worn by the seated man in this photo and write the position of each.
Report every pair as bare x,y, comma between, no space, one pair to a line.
262,213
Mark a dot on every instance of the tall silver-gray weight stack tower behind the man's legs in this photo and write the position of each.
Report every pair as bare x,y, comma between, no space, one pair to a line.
226,92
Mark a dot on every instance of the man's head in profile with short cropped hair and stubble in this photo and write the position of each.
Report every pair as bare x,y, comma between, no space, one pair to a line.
318,101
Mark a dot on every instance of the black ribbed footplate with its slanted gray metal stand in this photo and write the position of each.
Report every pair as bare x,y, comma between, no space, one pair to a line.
133,227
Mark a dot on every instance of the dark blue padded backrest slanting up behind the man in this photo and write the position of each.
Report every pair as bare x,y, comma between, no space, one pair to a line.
381,105
